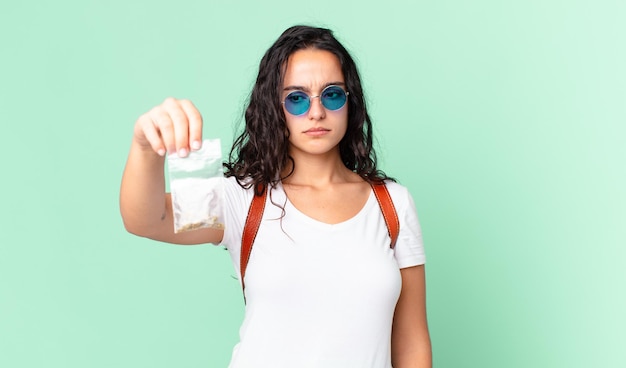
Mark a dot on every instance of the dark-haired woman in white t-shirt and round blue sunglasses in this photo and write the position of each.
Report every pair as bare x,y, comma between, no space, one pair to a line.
323,287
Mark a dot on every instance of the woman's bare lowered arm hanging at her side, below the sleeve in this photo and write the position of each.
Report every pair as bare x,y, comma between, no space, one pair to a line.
410,340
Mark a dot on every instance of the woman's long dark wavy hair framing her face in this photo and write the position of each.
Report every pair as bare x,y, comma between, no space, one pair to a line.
260,154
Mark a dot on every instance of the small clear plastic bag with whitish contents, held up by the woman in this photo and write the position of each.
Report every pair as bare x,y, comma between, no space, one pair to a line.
196,184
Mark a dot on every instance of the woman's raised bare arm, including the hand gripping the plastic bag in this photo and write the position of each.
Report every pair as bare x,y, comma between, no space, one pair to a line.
174,126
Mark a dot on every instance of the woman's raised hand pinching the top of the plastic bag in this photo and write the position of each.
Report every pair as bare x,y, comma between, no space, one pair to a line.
173,126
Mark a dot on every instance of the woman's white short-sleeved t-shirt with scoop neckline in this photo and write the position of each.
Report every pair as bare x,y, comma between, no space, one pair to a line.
320,295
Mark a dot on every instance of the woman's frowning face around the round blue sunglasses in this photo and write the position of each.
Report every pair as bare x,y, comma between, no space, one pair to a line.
319,130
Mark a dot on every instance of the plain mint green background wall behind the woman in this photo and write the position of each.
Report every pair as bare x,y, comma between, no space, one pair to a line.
506,119
